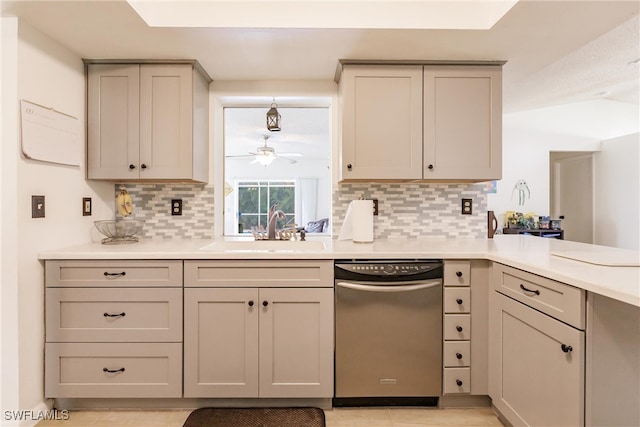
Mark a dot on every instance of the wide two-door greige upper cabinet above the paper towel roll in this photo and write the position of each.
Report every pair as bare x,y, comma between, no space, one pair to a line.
421,122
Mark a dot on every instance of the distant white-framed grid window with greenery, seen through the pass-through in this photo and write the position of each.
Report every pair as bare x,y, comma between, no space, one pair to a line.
256,197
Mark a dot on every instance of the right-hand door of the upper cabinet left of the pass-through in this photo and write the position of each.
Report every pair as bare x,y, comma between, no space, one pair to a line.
165,121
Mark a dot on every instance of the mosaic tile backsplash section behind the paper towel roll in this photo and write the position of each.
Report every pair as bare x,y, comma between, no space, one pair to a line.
416,209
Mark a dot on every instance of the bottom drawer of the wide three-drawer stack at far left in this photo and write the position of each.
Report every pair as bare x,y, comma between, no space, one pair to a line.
113,370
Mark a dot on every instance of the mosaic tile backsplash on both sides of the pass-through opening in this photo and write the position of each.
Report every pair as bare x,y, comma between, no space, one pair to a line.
405,210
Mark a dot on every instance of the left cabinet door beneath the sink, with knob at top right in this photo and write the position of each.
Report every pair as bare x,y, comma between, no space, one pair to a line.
221,342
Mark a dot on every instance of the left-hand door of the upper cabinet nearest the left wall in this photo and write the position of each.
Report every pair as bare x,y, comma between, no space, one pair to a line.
113,121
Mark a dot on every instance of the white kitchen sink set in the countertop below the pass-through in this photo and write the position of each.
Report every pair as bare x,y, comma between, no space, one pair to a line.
265,246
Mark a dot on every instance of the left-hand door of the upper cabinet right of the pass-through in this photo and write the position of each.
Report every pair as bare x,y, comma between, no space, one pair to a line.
382,122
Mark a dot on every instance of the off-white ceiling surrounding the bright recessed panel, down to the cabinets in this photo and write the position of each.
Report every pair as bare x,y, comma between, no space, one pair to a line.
557,51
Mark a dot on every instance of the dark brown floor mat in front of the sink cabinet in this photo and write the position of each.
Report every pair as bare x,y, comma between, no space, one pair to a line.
256,417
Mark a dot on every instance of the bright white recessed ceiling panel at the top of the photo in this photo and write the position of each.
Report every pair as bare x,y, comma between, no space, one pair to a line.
440,14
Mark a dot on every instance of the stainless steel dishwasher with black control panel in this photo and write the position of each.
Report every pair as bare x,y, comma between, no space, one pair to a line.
388,332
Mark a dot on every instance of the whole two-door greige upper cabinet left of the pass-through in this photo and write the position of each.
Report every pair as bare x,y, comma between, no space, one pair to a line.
147,122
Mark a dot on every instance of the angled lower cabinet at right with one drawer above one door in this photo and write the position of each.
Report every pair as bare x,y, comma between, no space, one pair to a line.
537,361
